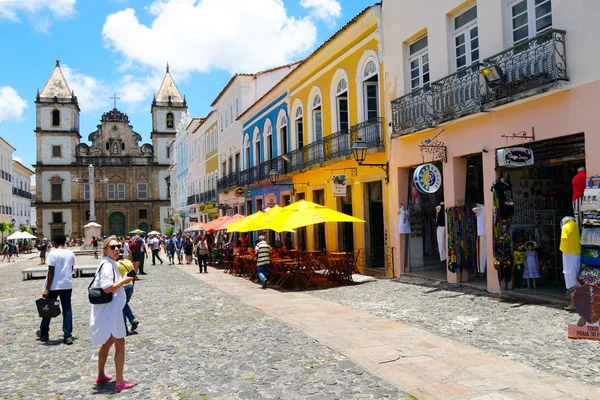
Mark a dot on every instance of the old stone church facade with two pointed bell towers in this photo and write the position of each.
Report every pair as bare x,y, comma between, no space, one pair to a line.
131,178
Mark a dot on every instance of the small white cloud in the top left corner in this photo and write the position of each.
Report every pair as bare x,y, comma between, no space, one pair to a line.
37,11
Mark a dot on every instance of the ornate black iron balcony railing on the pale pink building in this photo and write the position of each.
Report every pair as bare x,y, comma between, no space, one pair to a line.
528,68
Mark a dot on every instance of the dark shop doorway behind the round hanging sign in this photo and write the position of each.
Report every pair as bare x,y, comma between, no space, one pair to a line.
423,250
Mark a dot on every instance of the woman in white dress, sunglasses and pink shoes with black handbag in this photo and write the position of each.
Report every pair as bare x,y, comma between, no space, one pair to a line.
106,320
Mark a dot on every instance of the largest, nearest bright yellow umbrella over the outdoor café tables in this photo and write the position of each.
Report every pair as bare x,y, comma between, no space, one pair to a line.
304,213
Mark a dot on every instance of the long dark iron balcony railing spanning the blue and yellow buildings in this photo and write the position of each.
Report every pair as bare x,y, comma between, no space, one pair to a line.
332,147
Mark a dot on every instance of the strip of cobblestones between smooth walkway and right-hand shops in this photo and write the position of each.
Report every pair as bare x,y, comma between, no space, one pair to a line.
533,334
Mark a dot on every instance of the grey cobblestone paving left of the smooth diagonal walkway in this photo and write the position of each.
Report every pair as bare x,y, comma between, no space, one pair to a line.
194,342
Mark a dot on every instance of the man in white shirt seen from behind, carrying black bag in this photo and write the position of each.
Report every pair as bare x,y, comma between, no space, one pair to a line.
59,283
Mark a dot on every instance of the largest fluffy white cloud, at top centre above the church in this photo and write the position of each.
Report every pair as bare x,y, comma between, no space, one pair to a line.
206,35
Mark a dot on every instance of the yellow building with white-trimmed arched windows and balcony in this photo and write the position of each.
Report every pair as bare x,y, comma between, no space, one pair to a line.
336,98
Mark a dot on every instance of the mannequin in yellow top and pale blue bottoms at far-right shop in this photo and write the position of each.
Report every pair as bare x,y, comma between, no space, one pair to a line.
570,246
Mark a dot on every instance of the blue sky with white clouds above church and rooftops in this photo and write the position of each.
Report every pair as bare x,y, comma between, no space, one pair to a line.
123,46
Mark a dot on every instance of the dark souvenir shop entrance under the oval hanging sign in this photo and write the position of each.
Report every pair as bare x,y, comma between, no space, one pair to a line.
542,196
